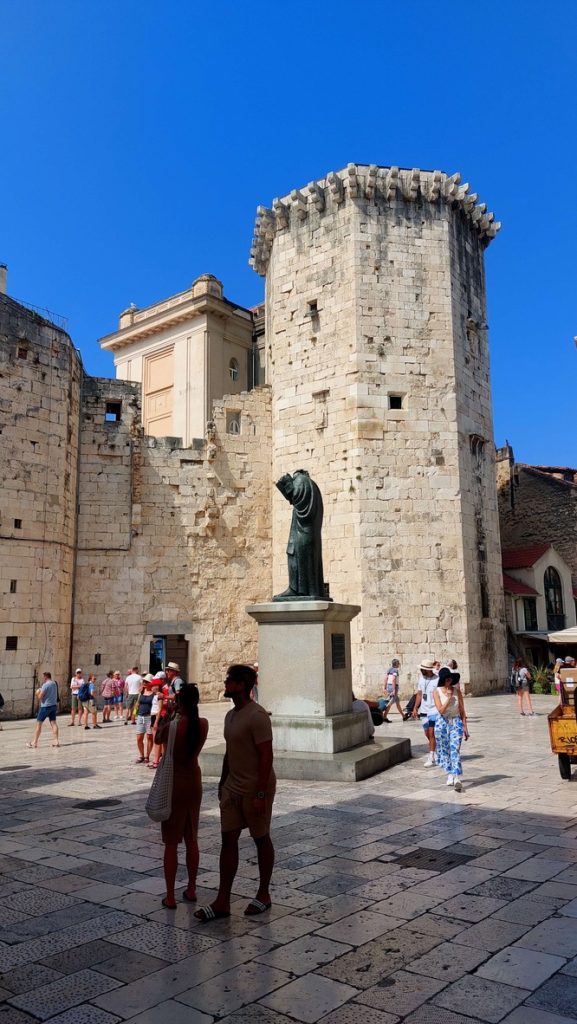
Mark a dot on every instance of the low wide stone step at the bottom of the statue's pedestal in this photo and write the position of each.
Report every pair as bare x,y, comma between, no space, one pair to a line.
347,766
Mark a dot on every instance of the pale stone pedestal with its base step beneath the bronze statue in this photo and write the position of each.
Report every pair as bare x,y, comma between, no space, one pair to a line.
305,680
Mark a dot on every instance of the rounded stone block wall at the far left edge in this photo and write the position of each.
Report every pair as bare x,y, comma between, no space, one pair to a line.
40,381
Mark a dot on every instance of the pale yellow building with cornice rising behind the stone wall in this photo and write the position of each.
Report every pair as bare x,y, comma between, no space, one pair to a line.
186,352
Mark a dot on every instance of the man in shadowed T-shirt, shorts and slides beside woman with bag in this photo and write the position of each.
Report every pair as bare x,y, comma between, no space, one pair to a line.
246,793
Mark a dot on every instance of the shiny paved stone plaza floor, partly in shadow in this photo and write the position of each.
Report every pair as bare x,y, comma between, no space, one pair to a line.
394,899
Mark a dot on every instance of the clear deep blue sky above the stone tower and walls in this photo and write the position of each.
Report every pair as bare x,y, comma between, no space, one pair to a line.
139,139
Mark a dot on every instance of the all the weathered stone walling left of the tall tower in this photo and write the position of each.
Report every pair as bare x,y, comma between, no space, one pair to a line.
159,534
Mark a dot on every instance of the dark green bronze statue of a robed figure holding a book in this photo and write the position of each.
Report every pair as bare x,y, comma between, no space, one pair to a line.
305,548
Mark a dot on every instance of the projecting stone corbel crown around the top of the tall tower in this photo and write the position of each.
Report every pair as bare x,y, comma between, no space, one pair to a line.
366,182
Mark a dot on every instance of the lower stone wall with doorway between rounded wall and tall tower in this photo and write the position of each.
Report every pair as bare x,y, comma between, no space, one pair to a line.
184,539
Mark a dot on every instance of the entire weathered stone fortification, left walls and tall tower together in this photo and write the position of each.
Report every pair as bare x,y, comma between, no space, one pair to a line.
378,370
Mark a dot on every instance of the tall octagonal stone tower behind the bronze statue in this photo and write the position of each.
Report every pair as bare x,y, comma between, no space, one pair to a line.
378,357
